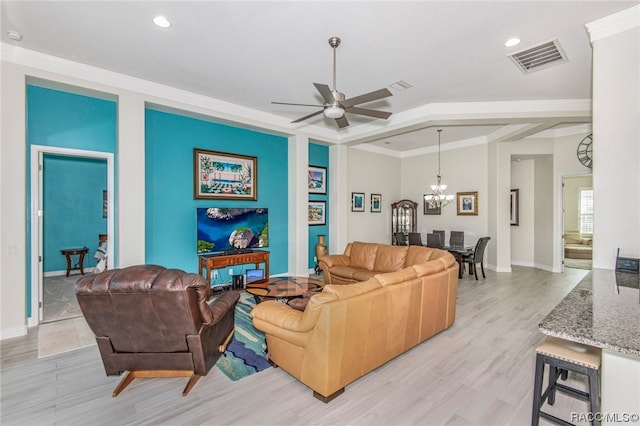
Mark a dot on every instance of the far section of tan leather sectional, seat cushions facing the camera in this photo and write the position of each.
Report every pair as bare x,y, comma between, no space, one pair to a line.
361,261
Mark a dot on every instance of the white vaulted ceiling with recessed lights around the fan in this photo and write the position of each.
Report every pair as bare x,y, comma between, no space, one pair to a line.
249,54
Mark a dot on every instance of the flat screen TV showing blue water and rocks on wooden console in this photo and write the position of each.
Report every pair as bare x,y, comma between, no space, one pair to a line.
229,229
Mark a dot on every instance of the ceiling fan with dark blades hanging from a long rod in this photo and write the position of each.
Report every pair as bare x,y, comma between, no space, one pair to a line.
336,104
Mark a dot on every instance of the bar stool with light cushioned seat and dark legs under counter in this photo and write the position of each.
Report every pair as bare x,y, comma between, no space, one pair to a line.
563,356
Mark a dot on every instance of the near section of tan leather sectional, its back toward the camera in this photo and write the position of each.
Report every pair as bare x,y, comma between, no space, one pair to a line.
347,331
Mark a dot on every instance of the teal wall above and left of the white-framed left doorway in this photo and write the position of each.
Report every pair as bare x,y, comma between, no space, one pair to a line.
63,119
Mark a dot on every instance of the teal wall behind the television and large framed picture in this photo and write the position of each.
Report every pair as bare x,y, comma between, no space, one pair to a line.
170,207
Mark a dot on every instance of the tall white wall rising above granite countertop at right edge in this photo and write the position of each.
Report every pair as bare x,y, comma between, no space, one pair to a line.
616,146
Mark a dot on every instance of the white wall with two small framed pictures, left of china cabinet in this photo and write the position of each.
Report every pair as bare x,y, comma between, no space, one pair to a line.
371,173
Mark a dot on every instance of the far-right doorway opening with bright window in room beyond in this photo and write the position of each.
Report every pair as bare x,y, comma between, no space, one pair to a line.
577,221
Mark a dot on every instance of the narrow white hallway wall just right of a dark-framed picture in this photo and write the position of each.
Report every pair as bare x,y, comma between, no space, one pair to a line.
522,236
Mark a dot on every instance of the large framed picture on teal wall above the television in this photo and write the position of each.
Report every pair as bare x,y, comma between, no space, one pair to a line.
219,175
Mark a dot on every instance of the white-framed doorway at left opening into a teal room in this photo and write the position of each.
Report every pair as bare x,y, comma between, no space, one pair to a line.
53,230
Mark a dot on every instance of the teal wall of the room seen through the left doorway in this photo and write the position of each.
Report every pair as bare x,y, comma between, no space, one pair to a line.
73,214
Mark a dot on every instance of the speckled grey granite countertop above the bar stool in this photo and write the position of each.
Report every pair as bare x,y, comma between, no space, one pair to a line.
603,310
